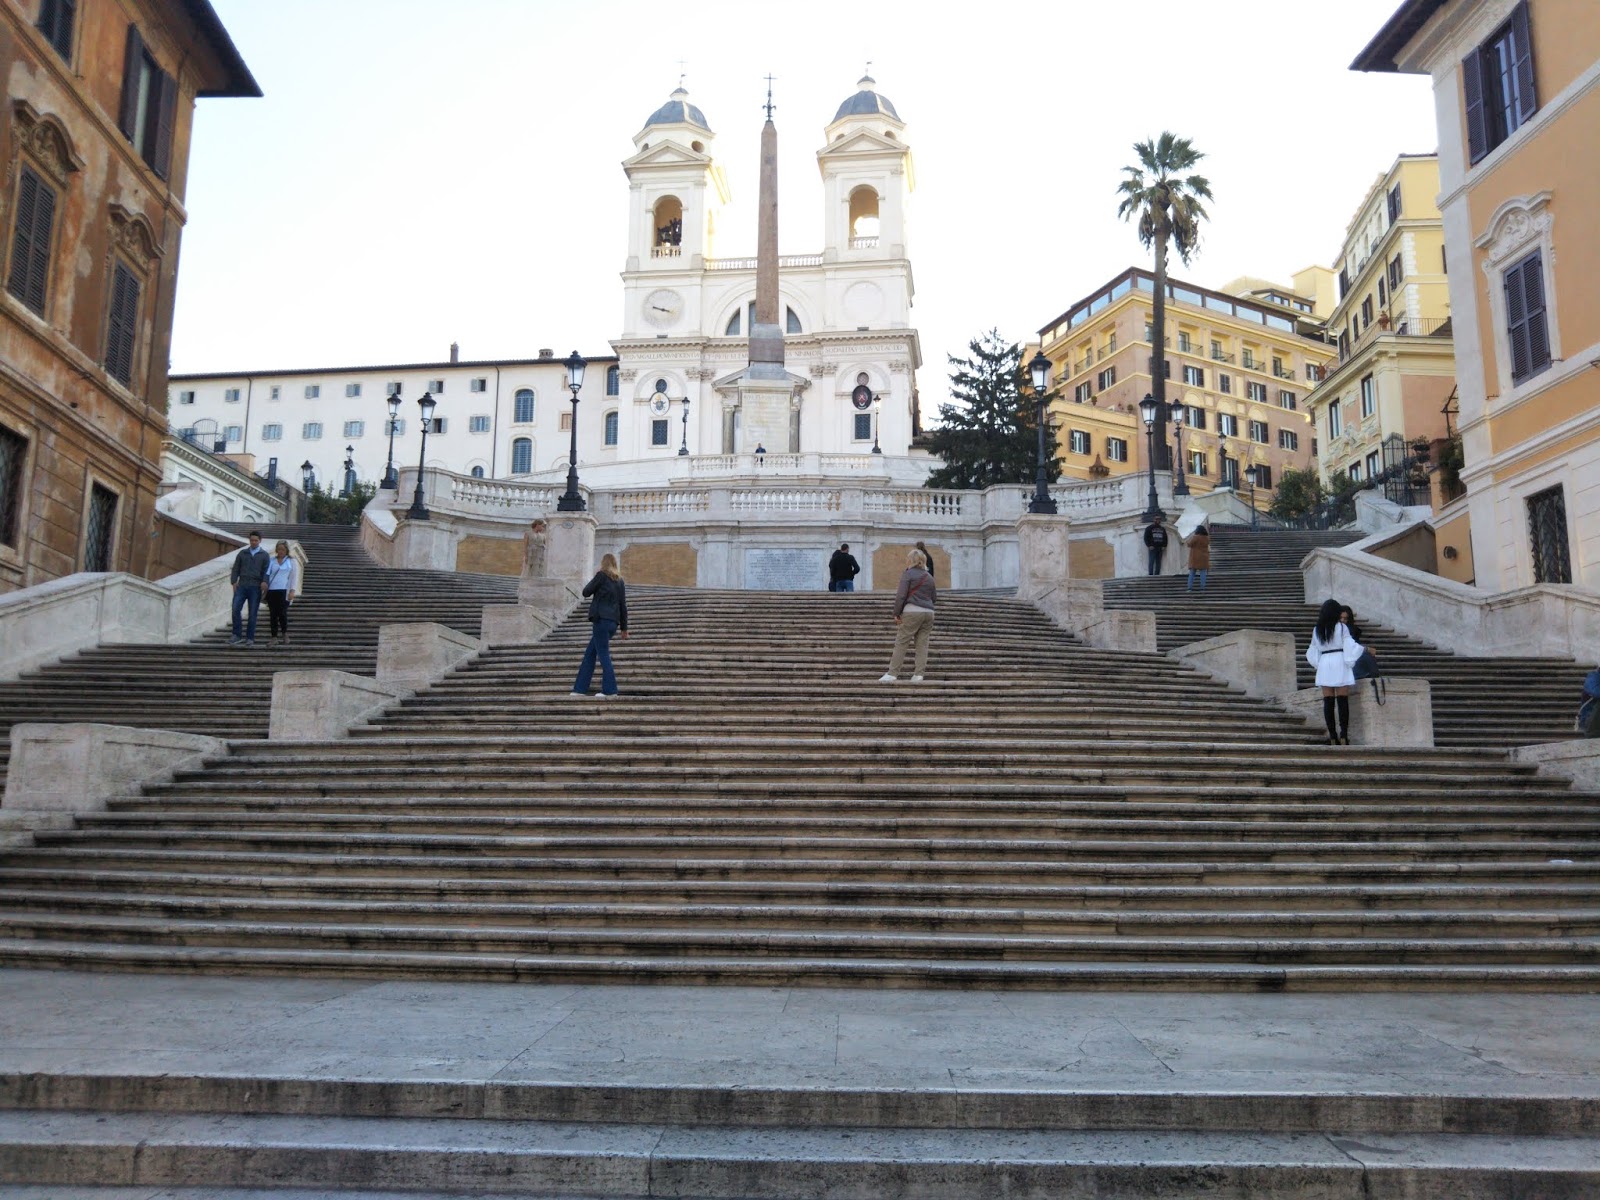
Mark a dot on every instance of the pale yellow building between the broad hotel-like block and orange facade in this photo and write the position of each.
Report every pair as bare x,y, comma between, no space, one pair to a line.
1396,369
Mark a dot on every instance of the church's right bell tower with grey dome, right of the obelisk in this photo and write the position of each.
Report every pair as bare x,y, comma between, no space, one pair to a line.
866,178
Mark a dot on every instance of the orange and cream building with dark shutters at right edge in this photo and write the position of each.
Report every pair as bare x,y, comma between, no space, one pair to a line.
1518,94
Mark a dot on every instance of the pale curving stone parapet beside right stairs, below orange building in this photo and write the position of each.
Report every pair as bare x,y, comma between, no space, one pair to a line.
1548,620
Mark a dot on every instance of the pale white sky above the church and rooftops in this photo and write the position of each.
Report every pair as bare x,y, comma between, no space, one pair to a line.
422,174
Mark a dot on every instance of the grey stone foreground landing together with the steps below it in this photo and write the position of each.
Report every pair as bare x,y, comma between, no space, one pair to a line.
834,1089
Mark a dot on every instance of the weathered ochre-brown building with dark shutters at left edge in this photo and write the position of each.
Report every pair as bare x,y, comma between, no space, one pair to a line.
95,146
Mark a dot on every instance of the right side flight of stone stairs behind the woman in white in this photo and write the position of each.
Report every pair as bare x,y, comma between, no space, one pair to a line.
1255,583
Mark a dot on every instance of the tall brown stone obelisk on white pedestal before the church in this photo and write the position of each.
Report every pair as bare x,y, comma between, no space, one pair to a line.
767,391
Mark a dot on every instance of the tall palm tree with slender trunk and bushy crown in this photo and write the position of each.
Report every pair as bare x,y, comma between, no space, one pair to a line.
1167,206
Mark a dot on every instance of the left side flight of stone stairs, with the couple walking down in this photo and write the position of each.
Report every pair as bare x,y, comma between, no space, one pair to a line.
226,692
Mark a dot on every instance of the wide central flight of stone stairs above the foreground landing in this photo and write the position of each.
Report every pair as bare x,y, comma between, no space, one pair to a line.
758,809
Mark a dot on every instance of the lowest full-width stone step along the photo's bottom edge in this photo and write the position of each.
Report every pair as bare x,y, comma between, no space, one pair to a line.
636,1161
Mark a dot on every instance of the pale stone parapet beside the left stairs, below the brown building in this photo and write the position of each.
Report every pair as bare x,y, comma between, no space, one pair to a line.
63,617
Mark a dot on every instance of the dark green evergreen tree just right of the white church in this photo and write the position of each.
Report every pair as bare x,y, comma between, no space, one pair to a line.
988,434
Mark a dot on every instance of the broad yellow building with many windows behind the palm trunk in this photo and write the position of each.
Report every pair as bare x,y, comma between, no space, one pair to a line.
1241,367
